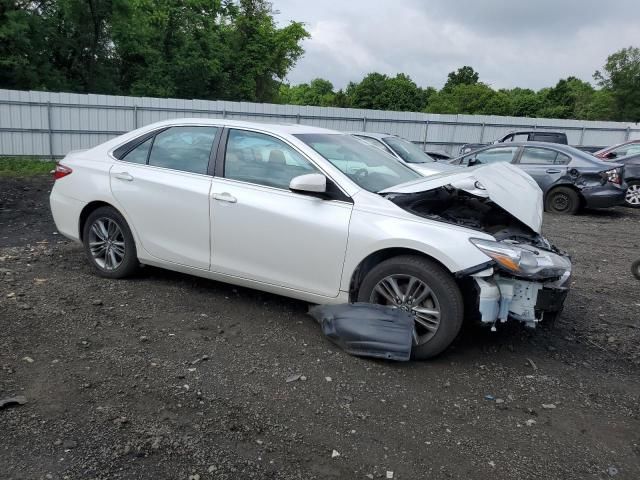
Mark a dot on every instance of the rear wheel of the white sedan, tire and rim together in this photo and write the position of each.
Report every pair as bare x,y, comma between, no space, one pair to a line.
109,244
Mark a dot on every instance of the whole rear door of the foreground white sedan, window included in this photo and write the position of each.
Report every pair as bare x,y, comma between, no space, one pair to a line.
163,187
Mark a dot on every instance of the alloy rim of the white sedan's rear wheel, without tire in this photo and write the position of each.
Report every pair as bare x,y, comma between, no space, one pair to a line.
106,243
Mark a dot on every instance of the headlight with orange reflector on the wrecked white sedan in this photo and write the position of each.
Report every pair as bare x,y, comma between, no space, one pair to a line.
524,260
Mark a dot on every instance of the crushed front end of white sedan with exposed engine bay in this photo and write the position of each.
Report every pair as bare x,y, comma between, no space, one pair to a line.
525,278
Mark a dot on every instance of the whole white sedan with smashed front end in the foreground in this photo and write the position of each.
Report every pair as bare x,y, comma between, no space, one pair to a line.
316,215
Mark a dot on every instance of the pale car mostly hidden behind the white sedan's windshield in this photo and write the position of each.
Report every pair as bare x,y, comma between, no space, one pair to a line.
406,152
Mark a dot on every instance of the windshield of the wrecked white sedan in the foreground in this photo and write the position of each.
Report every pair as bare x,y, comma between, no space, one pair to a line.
367,166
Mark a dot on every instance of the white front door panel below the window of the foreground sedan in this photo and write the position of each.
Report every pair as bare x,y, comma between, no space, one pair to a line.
278,237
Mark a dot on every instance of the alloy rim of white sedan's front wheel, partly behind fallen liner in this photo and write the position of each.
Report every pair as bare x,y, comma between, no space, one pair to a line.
412,295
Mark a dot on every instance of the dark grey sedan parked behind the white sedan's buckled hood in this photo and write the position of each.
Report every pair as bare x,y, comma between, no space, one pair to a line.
569,178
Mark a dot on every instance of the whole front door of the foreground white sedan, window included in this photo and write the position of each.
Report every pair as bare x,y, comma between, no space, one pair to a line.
262,231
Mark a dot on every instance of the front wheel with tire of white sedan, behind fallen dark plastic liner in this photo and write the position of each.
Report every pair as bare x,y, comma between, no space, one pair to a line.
445,298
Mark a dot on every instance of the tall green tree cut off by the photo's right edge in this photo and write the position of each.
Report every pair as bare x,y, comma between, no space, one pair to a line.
621,76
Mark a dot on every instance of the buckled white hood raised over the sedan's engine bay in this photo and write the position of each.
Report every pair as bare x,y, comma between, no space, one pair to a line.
505,185
